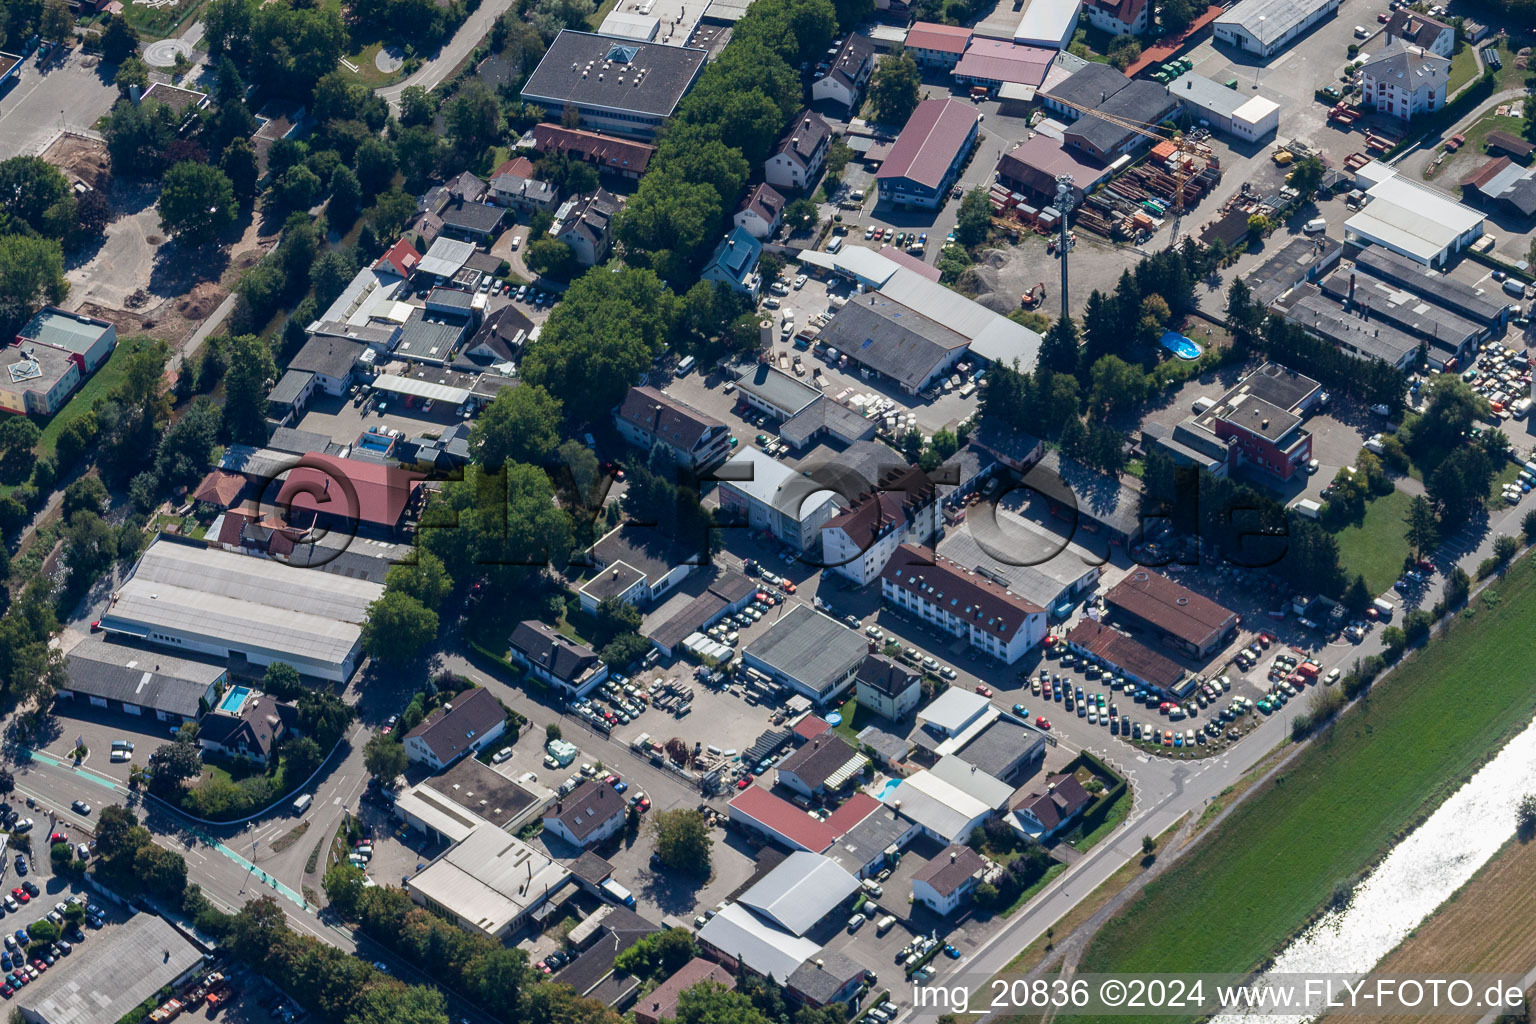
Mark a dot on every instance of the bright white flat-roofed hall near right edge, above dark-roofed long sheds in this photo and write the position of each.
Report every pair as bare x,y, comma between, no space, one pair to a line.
1411,219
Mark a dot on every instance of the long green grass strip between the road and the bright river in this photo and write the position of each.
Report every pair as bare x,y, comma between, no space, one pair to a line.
1260,876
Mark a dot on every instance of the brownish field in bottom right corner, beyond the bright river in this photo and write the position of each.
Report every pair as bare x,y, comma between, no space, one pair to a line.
1485,928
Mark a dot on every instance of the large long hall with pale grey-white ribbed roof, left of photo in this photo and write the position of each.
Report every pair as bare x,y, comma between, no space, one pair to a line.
207,601
